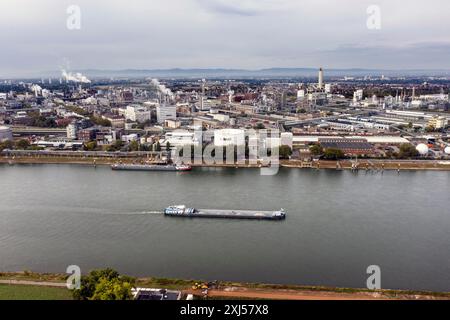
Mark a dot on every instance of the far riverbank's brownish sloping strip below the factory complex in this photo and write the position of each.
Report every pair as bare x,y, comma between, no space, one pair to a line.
363,164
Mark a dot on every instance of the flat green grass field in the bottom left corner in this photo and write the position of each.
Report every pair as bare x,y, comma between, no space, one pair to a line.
25,292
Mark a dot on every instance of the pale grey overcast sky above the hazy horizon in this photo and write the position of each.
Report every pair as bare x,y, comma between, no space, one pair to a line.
252,34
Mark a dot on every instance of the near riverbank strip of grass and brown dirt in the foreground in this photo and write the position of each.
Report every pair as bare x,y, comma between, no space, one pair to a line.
26,284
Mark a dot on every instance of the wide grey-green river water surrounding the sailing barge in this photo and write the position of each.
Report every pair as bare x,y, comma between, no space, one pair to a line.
338,223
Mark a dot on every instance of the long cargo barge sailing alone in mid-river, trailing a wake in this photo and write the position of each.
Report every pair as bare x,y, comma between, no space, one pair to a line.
183,211
